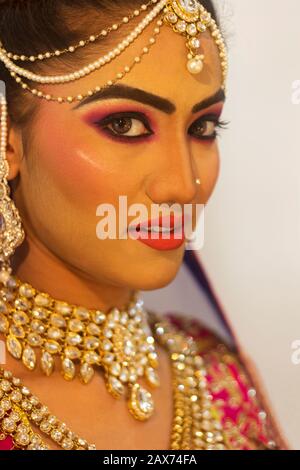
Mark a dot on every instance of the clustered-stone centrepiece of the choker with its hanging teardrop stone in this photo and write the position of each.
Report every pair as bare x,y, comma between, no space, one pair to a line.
127,352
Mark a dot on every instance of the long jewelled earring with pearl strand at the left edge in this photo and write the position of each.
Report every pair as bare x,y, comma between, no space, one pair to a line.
11,231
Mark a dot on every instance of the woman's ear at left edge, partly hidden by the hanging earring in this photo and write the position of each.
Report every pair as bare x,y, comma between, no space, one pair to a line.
14,150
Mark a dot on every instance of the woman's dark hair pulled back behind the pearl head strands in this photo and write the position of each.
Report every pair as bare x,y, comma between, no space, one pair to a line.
30,27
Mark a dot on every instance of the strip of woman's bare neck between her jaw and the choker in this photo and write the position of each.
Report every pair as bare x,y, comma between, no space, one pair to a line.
35,264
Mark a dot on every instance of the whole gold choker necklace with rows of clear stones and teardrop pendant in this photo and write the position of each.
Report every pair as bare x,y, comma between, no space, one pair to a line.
39,328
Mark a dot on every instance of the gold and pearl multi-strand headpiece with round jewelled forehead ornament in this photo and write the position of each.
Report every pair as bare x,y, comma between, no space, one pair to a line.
186,17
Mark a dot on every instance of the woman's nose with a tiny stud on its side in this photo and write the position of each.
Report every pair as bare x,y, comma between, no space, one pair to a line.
173,179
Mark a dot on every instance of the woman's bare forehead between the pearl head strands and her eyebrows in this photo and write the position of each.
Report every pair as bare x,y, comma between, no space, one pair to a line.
164,69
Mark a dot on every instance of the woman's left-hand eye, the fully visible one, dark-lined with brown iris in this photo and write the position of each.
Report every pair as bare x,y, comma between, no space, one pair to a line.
126,126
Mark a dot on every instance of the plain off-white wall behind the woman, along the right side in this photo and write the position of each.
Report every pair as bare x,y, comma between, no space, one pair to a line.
252,244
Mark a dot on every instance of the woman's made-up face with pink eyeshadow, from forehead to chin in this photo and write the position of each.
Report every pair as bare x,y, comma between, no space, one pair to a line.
79,157
